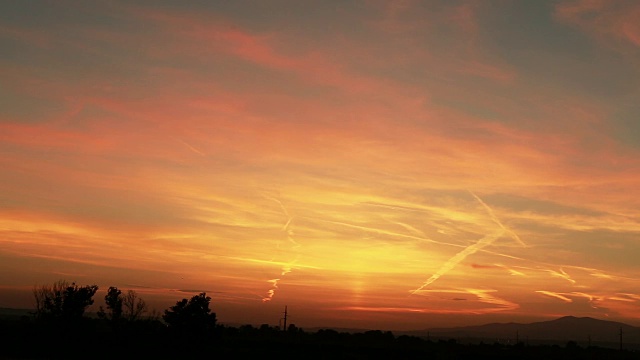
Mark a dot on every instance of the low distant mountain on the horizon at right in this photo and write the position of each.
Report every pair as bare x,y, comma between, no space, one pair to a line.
564,329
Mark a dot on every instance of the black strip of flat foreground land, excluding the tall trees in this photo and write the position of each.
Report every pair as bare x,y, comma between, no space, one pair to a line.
25,338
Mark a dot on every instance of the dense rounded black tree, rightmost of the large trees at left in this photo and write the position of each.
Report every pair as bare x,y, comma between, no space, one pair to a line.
192,316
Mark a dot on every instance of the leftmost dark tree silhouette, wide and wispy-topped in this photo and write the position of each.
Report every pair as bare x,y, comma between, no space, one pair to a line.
63,301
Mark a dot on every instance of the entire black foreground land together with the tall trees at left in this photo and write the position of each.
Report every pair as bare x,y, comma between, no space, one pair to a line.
125,328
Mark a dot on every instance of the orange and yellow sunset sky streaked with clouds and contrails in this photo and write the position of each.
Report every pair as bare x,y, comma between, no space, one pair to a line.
369,164
